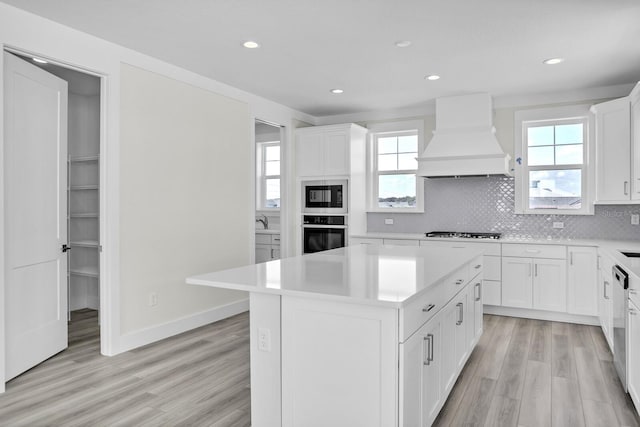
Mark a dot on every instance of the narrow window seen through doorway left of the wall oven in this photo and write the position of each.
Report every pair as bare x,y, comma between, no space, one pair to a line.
269,175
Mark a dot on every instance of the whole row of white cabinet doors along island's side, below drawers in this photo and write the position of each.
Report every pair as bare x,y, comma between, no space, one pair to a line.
432,358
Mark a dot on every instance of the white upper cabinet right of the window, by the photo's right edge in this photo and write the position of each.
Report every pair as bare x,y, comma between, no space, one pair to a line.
617,153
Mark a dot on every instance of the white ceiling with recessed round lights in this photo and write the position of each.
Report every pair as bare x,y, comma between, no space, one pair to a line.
309,47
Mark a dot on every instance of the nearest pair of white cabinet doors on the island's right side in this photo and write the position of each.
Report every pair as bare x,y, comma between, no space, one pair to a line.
420,387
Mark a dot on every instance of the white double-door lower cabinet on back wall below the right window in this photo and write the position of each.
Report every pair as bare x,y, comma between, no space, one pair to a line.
536,283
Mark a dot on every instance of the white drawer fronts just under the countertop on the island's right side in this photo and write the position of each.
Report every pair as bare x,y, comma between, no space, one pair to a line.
430,302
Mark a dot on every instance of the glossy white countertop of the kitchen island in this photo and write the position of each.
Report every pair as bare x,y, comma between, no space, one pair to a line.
389,276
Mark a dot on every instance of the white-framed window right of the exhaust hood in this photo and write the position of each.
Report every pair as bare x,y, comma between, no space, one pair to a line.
552,161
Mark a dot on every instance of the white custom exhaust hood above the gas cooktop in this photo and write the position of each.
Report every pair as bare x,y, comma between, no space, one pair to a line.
464,142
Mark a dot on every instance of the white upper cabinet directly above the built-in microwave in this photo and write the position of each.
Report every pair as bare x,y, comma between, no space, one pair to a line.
326,151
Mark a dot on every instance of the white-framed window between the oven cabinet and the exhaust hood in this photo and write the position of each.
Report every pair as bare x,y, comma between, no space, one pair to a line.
394,183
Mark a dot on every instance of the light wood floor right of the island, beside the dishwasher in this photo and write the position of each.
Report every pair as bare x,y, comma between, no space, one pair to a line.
536,373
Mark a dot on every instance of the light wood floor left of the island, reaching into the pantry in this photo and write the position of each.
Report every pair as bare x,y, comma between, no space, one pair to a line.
197,378
